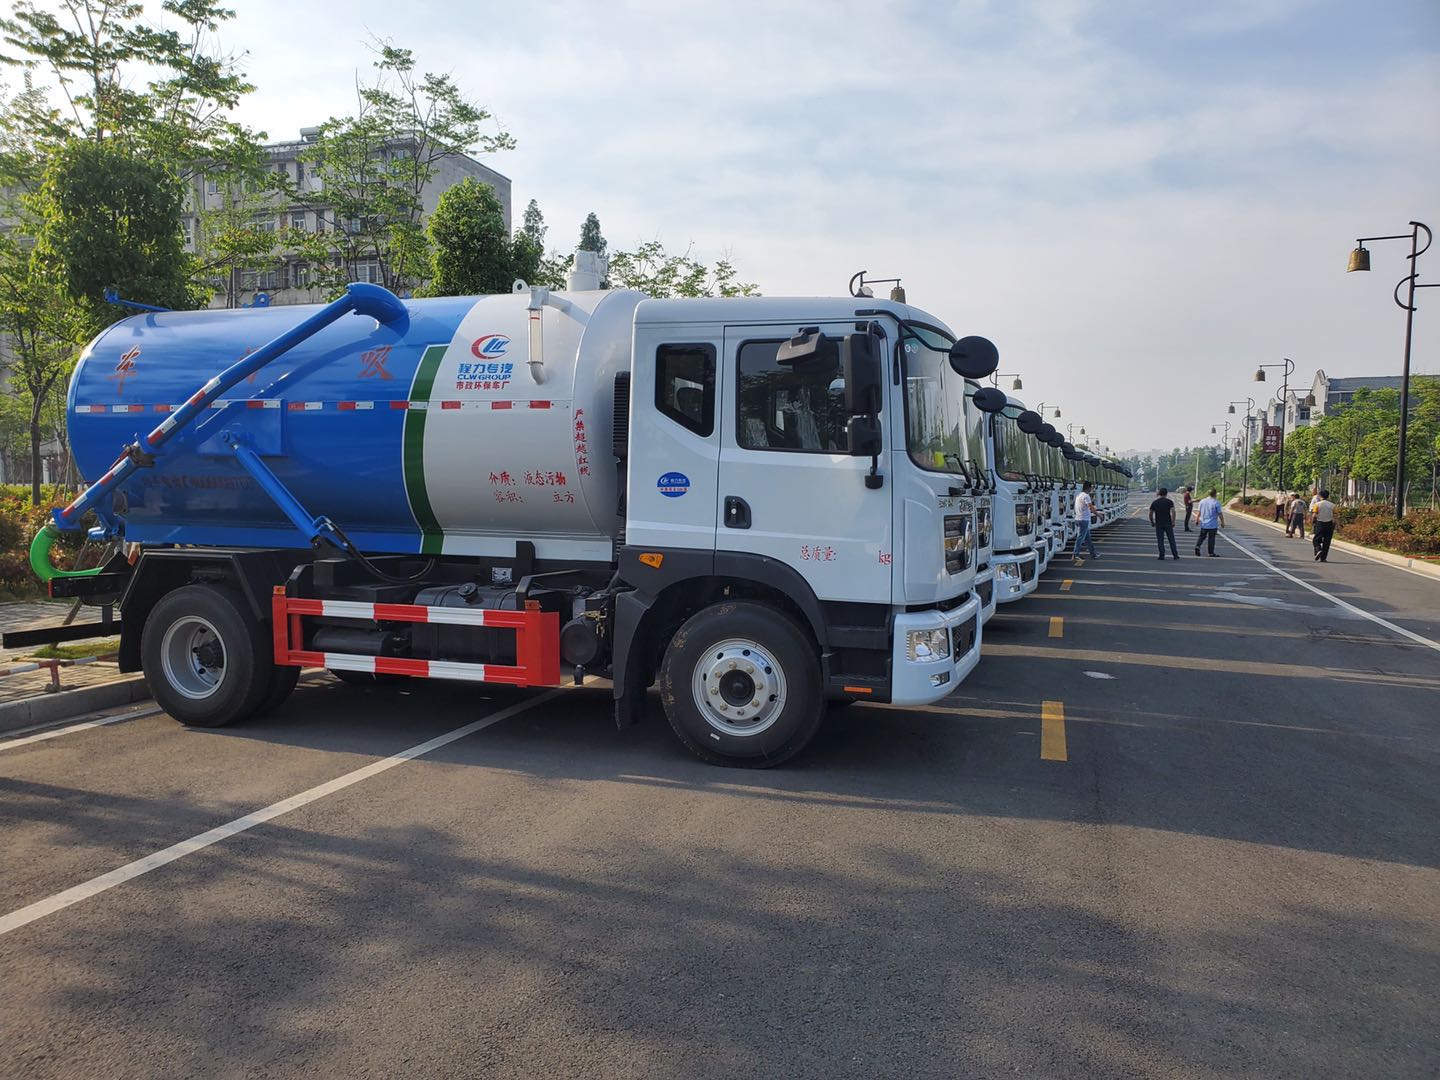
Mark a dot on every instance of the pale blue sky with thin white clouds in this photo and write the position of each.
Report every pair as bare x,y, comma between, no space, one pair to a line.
1138,202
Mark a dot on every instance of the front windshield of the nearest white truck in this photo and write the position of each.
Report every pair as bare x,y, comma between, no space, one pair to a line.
941,434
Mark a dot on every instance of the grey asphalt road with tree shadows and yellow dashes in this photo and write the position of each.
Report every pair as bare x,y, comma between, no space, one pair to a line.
1183,822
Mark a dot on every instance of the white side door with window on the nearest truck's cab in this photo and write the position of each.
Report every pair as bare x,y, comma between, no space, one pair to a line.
788,487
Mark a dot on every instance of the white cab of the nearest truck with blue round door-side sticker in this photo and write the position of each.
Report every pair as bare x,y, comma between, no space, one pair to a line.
813,454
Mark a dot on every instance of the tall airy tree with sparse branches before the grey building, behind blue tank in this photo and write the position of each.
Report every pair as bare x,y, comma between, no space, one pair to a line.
377,165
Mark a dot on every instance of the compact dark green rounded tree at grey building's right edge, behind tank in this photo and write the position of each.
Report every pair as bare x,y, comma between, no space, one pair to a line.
473,254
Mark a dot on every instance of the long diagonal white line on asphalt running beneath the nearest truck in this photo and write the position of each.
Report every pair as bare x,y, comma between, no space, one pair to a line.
188,847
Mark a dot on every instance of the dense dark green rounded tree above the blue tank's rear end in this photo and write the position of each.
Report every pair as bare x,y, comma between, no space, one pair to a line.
110,217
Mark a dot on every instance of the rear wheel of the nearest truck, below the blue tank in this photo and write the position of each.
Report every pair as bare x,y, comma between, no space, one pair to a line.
208,663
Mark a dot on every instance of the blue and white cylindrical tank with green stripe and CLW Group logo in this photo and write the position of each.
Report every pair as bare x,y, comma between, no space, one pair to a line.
456,431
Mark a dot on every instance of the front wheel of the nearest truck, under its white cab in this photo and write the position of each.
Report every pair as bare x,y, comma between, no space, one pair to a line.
729,657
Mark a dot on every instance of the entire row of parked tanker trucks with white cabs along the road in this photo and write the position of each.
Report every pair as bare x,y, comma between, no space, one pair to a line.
762,506
